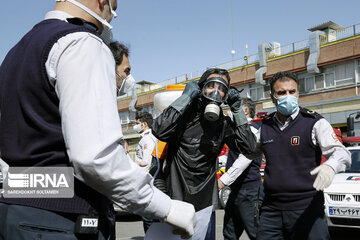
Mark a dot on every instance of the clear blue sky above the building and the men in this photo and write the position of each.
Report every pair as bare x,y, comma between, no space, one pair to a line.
168,38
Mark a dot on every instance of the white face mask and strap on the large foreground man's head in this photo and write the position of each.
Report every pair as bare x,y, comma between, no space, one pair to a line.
106,34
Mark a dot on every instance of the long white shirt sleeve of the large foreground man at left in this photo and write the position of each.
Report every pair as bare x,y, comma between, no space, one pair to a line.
82,69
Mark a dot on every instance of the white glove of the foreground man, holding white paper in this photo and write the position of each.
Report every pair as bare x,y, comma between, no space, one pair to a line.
182,216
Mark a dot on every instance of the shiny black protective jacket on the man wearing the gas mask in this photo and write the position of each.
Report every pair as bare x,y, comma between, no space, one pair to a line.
194,145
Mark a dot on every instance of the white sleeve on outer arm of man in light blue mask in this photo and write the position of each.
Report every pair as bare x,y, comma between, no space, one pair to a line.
338,157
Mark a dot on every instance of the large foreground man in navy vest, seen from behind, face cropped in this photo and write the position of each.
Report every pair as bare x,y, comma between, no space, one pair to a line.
58,108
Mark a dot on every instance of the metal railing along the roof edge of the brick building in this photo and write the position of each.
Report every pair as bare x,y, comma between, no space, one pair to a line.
285,49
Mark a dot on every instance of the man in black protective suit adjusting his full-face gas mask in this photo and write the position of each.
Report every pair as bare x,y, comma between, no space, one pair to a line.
196,129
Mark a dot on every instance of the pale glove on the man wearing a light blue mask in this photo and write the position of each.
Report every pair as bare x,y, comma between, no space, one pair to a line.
325,175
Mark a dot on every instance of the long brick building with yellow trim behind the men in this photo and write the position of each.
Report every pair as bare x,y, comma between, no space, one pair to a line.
327,65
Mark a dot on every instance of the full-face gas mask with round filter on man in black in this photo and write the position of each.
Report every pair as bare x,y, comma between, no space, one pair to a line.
215,92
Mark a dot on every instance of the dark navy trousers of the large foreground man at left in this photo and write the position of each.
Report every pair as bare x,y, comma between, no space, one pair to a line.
22,223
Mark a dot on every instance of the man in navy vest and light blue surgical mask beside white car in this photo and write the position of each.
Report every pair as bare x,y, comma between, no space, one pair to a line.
292,140
